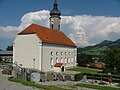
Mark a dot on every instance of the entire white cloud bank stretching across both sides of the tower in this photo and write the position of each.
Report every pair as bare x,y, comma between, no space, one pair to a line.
84,30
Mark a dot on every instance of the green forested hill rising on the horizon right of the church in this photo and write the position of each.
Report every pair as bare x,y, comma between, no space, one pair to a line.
100,48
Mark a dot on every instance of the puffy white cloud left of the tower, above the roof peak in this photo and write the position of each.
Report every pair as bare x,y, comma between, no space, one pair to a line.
40,17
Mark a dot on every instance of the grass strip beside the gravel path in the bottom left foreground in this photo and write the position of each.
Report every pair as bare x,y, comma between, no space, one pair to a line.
36,85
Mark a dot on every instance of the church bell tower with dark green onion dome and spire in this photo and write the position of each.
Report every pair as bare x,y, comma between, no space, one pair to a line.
55,17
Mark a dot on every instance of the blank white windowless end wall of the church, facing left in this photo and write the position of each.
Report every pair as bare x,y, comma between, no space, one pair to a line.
26,51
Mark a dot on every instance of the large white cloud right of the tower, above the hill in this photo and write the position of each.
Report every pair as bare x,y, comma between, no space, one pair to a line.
87,30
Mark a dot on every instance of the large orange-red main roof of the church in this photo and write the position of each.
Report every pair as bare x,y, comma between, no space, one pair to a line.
48,35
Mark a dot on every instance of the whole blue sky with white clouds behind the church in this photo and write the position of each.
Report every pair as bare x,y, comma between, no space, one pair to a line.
86,22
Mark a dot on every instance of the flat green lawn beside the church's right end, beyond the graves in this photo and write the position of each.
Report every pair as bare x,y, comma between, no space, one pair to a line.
85,70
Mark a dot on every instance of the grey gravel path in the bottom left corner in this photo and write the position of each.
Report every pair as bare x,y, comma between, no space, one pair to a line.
7,85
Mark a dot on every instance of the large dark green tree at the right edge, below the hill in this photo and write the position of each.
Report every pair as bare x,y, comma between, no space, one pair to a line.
113,60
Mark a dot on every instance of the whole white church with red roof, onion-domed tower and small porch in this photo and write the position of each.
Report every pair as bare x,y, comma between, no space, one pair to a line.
45,49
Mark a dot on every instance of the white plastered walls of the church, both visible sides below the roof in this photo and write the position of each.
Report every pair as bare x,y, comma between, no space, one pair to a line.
30,52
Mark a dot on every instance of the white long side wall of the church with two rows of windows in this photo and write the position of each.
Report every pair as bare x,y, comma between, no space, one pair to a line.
59,54
